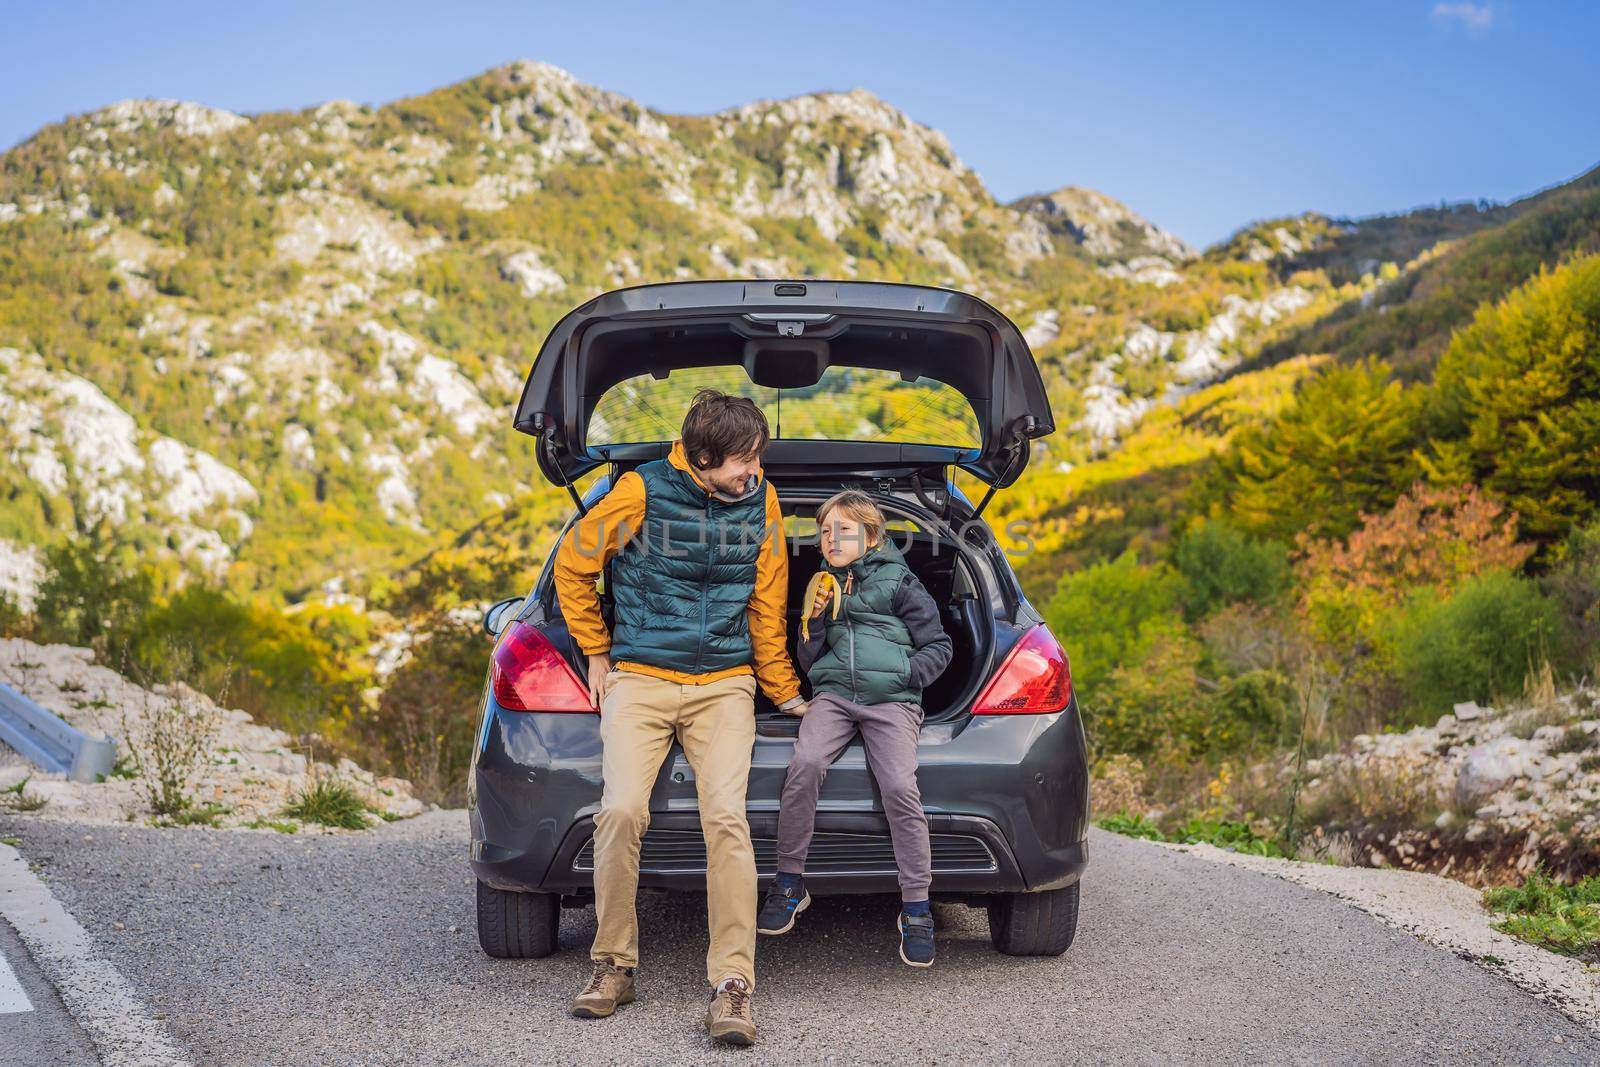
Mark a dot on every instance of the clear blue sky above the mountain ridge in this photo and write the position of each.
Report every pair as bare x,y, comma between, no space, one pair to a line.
1201,116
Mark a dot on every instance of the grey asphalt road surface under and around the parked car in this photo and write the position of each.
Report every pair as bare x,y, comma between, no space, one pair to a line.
361,949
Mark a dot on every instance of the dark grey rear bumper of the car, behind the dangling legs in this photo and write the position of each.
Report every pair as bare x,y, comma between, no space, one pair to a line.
1007,801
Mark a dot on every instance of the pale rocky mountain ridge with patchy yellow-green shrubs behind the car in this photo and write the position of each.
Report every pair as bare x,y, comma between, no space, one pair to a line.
282,350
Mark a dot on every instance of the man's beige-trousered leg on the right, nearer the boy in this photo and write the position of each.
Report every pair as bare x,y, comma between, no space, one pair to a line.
718,733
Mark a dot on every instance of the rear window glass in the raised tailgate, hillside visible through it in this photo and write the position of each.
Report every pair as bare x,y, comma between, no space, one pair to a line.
850,404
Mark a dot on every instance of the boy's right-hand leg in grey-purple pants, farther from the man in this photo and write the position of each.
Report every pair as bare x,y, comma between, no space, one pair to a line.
890,735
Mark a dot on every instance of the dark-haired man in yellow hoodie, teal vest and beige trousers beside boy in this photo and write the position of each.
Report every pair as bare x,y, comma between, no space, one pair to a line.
700,594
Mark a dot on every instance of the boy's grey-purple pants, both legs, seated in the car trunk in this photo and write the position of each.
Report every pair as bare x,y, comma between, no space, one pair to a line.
890,735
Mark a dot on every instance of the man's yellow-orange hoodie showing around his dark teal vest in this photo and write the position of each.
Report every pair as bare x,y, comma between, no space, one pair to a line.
620,513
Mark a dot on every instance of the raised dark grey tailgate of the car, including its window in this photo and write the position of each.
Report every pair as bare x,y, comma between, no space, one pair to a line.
852,377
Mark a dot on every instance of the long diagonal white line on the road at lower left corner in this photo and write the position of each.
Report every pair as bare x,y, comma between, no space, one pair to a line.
98,997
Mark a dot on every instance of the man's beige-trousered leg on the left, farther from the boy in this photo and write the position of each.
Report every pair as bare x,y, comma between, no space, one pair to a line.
636,732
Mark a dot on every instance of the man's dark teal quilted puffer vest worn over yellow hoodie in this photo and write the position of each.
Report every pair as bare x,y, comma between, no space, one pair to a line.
682,586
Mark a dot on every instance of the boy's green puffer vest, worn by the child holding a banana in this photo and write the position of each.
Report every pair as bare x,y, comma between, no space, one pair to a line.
868,657
